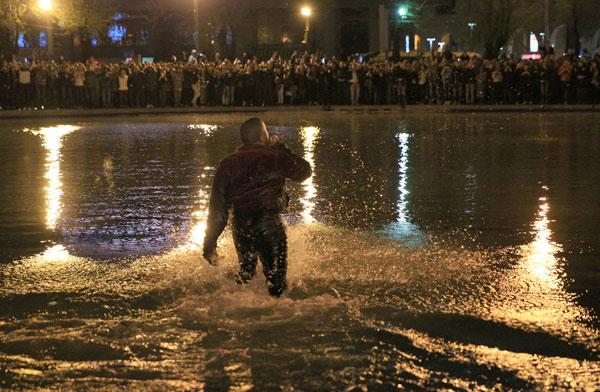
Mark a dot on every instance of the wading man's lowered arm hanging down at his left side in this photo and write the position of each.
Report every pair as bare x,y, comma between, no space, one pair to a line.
217,214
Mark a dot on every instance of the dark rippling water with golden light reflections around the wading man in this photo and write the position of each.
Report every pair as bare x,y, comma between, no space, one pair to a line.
446,251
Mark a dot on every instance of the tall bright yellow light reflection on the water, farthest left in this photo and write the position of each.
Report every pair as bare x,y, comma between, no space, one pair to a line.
52,138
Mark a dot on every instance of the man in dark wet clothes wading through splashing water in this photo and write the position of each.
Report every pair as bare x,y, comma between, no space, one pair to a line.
251,182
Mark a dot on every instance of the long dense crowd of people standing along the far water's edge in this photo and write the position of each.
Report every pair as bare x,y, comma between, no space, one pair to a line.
301,79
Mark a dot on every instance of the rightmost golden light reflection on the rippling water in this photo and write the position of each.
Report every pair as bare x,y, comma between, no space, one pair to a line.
541,259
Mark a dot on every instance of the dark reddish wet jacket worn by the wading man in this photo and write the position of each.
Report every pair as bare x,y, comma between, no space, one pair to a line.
251,181
